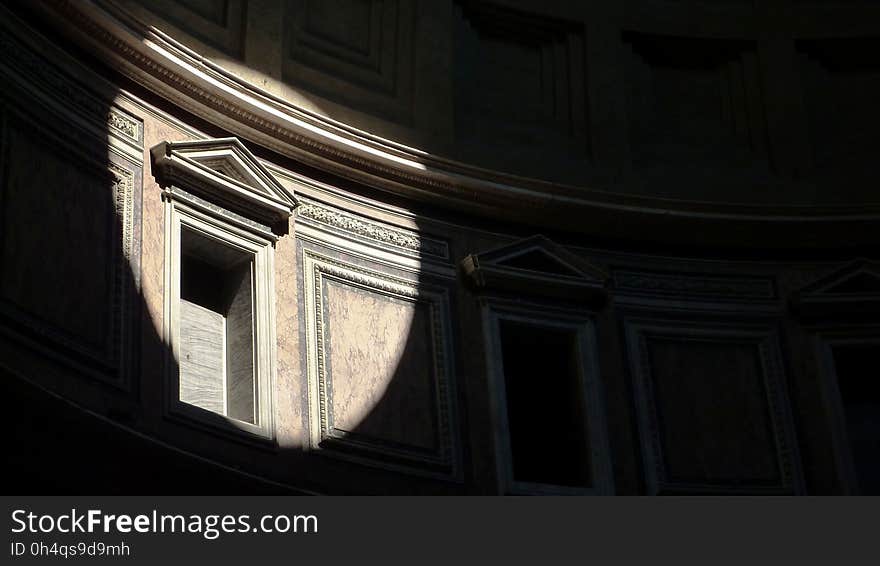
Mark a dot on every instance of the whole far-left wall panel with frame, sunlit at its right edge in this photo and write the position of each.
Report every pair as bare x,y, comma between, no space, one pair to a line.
68,255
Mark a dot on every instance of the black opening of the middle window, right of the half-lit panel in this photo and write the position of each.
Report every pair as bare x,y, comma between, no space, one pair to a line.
545,405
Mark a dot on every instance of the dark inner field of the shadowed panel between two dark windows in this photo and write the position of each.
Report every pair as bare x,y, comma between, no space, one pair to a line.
714,419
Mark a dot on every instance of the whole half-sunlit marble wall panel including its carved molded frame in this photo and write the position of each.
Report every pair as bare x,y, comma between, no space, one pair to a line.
379,350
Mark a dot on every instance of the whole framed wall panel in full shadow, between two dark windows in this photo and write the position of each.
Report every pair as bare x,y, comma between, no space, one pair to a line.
713,412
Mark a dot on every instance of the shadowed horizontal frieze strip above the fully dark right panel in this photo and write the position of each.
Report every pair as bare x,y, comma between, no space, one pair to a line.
687,286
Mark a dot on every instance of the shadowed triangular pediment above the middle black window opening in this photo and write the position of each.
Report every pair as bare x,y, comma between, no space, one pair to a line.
536,266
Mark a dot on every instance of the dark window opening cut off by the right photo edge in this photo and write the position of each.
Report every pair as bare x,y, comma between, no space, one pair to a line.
859,385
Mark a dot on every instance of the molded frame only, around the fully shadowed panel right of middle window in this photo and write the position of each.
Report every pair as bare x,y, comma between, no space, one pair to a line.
764,341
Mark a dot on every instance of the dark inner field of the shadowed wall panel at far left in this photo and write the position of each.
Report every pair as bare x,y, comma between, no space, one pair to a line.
64,276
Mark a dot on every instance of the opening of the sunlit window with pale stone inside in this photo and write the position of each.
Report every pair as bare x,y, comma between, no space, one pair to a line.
217,327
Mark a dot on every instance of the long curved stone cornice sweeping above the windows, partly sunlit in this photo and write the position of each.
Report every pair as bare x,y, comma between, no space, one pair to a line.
154,60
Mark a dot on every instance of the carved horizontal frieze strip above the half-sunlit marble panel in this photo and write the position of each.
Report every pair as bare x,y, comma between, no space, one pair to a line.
397,239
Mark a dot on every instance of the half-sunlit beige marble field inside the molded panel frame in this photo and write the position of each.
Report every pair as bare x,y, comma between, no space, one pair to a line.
380,366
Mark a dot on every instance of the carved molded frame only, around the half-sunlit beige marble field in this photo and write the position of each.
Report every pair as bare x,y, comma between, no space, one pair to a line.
444,462
